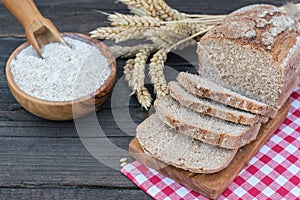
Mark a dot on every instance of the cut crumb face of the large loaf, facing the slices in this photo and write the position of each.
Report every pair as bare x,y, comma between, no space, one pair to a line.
240,68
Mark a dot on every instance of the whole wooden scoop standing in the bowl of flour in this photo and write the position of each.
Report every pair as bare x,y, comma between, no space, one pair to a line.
39,30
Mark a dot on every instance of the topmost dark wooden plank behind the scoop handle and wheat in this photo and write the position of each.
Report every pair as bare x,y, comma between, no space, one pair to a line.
62,15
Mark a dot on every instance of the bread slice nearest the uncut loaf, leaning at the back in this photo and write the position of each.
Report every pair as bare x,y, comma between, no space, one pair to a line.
204,88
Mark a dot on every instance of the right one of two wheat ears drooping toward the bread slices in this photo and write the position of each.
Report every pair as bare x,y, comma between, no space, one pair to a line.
156,72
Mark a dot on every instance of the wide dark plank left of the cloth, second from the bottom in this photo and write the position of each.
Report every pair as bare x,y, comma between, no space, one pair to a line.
58,162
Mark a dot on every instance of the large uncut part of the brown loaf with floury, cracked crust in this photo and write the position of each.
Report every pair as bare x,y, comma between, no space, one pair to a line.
255,52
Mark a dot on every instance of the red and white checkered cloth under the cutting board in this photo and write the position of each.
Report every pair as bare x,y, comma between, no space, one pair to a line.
274,172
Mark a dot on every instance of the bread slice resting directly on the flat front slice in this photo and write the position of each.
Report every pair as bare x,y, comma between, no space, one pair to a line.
205,128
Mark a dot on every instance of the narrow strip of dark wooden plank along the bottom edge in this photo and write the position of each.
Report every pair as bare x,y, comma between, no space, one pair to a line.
72,193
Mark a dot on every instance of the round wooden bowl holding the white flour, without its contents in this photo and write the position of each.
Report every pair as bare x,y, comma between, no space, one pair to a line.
64,110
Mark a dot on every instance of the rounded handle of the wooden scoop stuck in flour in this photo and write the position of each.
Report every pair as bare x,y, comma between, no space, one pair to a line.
26,13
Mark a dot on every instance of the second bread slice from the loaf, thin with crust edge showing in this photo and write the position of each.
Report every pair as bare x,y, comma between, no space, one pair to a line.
212,108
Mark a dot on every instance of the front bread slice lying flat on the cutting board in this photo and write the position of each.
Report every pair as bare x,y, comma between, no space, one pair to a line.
174,148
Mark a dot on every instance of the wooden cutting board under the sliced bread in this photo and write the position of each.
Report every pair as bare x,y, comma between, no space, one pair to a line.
213,185
